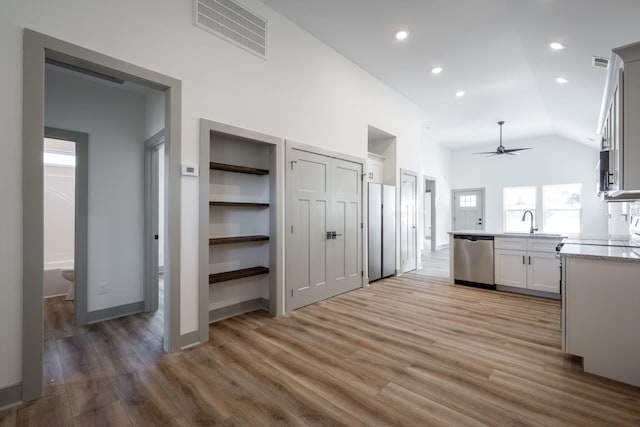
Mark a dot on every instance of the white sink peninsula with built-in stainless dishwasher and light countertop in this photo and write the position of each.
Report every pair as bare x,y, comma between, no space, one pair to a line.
520,262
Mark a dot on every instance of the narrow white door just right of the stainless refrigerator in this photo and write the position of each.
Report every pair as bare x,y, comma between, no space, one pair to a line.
408,222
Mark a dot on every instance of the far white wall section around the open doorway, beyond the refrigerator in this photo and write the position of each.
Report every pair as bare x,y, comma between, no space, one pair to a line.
437,165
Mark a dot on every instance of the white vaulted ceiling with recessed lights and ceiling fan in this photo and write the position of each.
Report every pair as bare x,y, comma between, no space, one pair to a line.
496,51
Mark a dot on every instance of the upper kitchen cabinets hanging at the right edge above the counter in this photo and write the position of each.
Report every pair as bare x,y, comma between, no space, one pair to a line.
619,125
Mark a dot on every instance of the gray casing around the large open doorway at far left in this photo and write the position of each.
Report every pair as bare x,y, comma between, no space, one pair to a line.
37,48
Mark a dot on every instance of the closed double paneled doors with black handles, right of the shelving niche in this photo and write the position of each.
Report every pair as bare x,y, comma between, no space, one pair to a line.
324,211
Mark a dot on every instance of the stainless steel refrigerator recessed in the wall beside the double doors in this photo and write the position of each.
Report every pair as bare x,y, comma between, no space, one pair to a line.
382,231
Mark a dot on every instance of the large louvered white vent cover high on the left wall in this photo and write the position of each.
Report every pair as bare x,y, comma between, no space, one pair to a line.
234,23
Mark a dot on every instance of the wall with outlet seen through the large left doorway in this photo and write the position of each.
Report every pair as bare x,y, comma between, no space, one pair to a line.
115,122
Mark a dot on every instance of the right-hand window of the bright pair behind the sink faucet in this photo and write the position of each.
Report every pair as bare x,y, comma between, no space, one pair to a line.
562,208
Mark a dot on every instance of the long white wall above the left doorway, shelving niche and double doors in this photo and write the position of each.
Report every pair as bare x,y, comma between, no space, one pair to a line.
304,91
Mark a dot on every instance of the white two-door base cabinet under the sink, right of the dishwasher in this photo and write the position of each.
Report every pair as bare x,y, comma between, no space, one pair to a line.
528,263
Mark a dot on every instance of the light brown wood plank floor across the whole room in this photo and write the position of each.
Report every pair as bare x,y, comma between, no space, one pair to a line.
409,350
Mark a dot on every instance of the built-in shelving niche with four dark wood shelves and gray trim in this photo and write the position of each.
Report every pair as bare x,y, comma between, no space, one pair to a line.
239,222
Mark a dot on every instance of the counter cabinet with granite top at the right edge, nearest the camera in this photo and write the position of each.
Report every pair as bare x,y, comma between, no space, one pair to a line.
600,307
